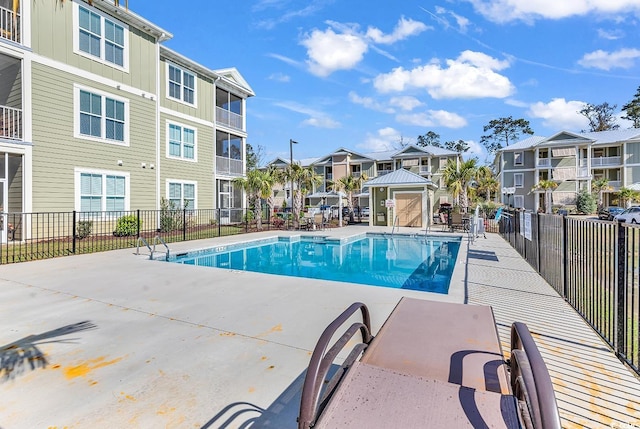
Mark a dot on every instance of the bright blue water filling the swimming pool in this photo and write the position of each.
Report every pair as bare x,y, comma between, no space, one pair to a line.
423,263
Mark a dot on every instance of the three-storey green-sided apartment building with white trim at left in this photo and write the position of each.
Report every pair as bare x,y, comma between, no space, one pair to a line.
97,115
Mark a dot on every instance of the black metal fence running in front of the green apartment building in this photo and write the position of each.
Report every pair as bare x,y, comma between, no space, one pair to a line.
31,236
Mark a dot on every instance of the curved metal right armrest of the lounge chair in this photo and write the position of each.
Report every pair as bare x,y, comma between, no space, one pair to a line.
530,379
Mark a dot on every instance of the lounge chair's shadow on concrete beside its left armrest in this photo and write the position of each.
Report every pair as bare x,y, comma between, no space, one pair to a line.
281,414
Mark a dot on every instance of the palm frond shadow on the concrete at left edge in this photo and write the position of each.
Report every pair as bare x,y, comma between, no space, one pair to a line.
24,354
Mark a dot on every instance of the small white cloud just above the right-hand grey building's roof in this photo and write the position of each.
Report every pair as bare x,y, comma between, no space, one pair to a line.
560,114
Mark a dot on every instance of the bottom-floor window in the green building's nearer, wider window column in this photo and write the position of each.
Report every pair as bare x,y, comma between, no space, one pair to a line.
99,191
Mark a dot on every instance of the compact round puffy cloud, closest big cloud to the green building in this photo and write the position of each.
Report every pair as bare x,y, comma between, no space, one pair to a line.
329,51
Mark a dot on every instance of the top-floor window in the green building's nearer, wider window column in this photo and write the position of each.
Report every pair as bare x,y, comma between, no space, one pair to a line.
100,38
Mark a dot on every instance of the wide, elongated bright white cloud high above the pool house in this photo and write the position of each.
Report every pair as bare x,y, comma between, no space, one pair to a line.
471,75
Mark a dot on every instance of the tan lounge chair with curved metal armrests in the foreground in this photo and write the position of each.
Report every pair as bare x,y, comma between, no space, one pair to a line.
432,364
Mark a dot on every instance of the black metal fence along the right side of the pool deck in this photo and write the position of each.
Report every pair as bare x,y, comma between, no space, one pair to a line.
593,264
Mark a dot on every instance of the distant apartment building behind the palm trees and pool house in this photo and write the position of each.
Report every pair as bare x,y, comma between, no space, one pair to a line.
425,164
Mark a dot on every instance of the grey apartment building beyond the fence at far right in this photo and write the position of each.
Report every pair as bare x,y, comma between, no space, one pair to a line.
572,160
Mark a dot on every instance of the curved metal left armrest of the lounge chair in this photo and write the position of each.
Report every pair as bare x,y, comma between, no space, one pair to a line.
321,360
